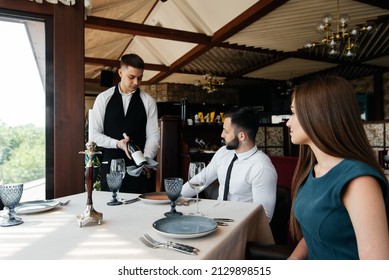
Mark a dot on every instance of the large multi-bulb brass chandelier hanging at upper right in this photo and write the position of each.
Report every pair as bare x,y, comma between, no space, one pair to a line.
338,37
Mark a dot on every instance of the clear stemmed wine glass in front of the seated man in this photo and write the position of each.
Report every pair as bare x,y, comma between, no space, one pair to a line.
196,180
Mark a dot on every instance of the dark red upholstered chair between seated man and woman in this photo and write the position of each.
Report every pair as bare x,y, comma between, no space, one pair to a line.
279,224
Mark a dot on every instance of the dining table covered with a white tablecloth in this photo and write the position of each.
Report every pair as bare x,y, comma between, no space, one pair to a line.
56,233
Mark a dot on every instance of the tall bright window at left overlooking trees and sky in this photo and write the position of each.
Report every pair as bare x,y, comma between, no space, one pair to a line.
23,104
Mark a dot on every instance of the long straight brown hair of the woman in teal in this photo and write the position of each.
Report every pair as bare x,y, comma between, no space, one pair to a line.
328,111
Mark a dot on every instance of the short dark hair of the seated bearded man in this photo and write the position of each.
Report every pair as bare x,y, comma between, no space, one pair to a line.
245,119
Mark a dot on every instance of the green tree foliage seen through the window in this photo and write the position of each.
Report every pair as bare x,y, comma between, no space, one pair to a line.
22,153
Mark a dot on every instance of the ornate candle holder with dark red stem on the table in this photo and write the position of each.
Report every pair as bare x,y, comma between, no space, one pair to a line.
90,215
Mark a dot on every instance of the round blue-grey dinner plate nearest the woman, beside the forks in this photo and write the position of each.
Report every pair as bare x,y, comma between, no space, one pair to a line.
185,226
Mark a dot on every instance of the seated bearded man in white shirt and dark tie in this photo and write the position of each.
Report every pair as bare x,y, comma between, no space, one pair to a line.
253,177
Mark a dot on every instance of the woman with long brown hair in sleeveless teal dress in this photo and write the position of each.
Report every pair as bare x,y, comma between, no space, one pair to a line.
339,191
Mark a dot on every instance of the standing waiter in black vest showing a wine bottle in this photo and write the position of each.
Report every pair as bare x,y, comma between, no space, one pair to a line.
125,108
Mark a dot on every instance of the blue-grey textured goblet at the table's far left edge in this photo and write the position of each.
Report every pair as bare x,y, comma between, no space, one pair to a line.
10,195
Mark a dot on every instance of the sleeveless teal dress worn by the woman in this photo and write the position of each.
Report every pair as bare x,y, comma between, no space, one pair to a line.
324,220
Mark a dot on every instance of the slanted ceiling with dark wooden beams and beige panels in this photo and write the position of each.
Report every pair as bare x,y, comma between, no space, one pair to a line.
243,41
